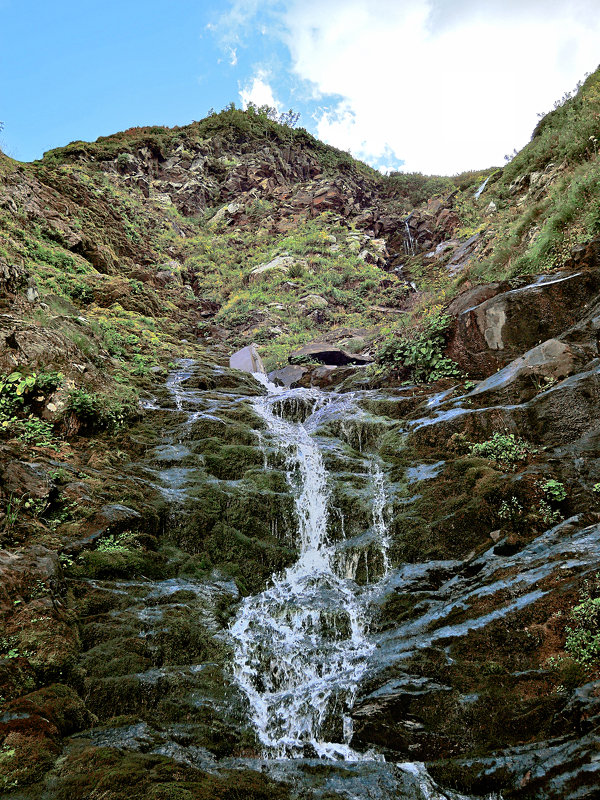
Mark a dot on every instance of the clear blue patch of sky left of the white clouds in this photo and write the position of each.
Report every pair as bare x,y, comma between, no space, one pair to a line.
79,70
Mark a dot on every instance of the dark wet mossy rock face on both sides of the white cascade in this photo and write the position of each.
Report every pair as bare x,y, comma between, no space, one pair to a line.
459,624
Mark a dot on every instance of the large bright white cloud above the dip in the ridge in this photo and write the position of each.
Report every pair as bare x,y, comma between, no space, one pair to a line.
444,86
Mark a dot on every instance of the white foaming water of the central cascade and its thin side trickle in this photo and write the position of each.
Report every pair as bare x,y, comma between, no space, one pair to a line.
301,646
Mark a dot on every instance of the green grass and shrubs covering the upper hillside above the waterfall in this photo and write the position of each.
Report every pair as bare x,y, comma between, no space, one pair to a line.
141,324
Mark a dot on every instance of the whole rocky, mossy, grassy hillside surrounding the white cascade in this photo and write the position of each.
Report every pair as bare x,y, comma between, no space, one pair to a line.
455,323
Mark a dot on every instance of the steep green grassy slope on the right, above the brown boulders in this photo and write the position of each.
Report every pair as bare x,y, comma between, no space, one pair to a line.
547,201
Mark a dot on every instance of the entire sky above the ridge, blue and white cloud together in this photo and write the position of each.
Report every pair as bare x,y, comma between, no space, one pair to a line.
429,85
